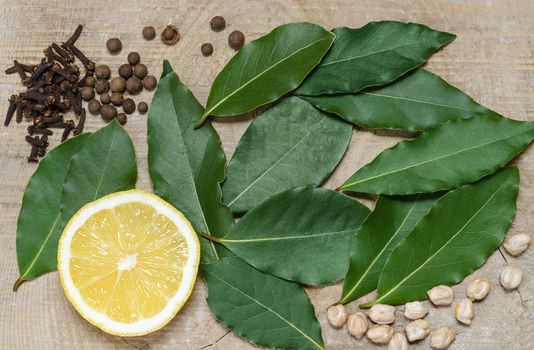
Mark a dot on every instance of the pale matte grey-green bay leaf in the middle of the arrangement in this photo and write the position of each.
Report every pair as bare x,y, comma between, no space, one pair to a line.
291,144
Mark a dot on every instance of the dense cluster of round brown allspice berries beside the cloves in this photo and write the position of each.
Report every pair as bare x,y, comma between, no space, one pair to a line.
131,79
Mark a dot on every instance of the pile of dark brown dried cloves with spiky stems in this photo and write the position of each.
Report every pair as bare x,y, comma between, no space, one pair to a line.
52,89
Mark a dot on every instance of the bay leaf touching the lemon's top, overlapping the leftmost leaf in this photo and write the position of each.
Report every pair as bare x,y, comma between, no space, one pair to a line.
106,164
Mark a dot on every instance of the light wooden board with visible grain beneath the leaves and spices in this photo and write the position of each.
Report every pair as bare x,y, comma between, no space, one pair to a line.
492,59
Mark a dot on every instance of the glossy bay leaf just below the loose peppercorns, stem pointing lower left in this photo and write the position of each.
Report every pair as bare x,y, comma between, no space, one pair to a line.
267,68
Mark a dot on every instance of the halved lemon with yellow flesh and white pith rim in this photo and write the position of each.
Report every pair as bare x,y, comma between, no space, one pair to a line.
128,262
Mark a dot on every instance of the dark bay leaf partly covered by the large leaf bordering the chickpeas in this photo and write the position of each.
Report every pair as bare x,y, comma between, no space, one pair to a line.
391,221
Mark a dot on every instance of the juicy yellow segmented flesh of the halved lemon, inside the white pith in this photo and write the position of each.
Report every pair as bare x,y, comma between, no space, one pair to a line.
127,262
